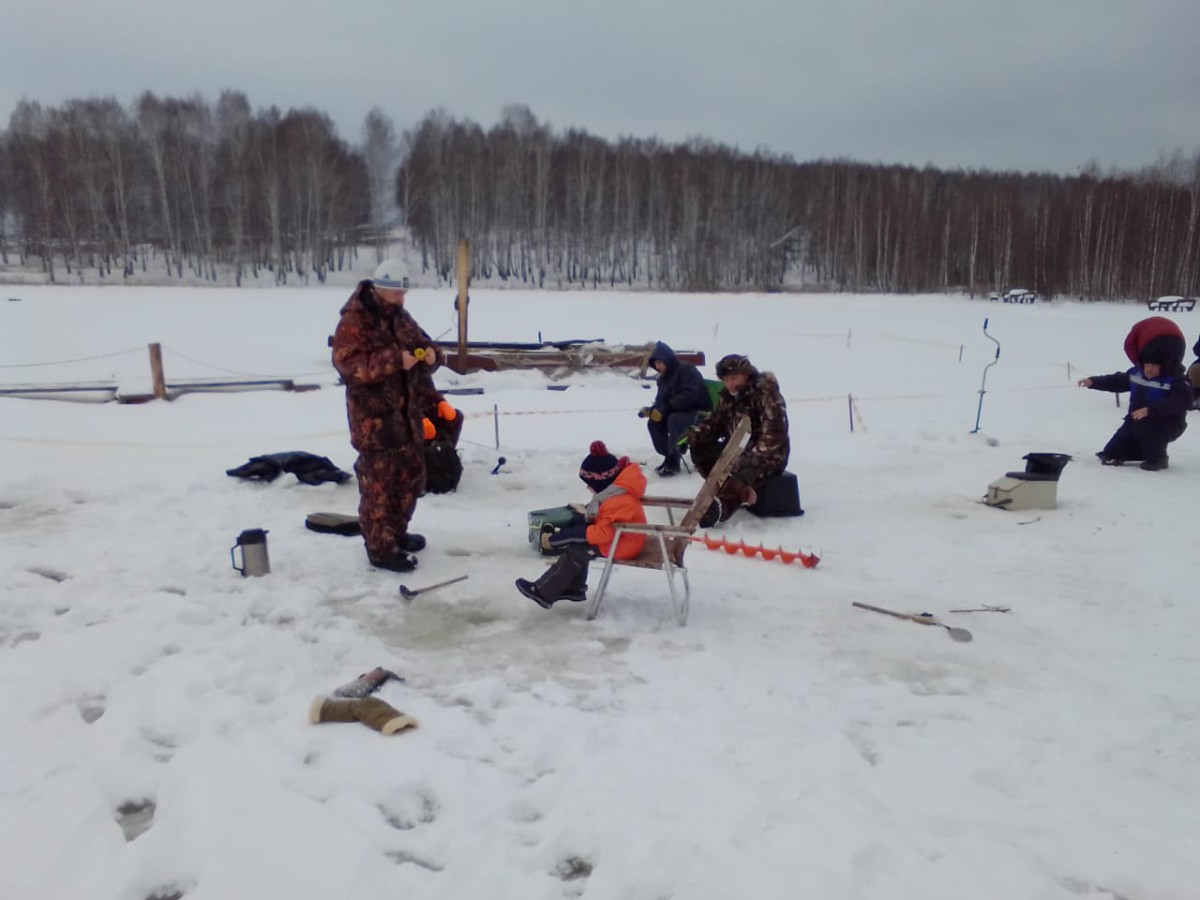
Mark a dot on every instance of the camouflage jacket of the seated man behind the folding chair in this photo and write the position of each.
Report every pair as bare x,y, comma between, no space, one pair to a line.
769,448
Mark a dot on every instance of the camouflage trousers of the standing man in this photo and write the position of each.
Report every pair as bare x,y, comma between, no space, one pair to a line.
389,484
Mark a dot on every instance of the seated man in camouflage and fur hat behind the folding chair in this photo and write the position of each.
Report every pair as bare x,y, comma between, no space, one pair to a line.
752,393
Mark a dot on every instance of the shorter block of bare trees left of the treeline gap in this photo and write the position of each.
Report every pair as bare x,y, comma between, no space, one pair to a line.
92,185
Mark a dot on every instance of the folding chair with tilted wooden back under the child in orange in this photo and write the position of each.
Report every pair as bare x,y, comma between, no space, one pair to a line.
665,545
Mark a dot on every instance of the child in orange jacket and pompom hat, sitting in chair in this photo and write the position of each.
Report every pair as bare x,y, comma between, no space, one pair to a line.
619,488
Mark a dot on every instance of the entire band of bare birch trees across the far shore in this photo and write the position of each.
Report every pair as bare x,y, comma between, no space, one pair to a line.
94,185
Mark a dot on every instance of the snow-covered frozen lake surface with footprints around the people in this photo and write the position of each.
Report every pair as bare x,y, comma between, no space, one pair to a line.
784,745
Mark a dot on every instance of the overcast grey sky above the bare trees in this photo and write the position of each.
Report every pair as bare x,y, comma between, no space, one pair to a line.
1010,85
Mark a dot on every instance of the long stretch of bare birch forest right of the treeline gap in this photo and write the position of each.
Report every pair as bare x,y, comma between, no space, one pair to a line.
544,207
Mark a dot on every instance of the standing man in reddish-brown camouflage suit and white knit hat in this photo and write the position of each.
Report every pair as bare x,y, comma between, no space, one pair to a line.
377,347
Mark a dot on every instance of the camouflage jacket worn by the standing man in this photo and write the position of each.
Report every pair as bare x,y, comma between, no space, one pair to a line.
383,403
